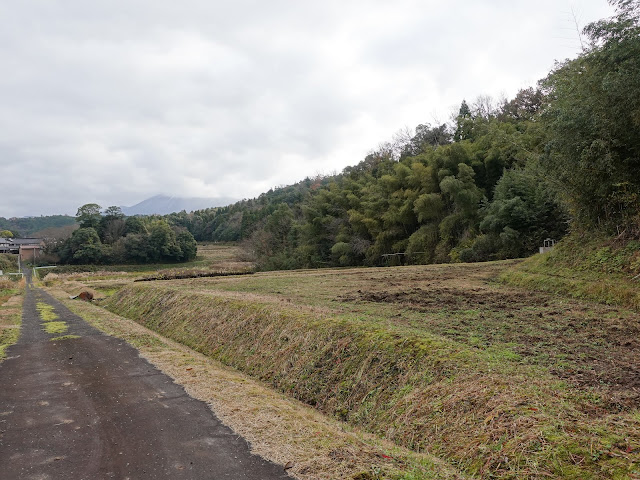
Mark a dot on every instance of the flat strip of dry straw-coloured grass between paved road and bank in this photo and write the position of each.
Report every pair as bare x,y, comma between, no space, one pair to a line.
277,427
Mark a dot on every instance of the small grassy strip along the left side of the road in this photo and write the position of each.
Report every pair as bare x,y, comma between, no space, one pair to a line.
10,305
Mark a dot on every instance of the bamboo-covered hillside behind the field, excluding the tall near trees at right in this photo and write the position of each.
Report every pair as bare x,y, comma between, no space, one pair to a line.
466,192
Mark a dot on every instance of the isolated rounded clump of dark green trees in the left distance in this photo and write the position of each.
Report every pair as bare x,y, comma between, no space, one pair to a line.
110,237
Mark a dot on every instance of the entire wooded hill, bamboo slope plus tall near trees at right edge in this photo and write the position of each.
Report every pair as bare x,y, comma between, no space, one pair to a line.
494,183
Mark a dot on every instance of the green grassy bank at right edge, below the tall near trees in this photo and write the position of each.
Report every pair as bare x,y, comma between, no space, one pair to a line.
595,268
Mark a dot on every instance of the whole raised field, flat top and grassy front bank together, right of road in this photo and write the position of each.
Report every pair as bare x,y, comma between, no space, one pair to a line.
500,381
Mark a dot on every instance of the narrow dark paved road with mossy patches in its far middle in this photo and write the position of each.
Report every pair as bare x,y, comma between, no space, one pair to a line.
91,408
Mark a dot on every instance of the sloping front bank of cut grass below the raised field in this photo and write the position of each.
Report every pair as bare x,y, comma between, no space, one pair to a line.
482,410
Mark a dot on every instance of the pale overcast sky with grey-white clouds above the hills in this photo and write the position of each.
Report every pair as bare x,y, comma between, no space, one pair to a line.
115,101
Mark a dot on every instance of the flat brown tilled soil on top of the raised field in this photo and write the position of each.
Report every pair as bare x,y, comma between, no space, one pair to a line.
588,344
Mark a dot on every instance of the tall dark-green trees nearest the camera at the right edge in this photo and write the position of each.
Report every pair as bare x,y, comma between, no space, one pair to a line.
592,149
